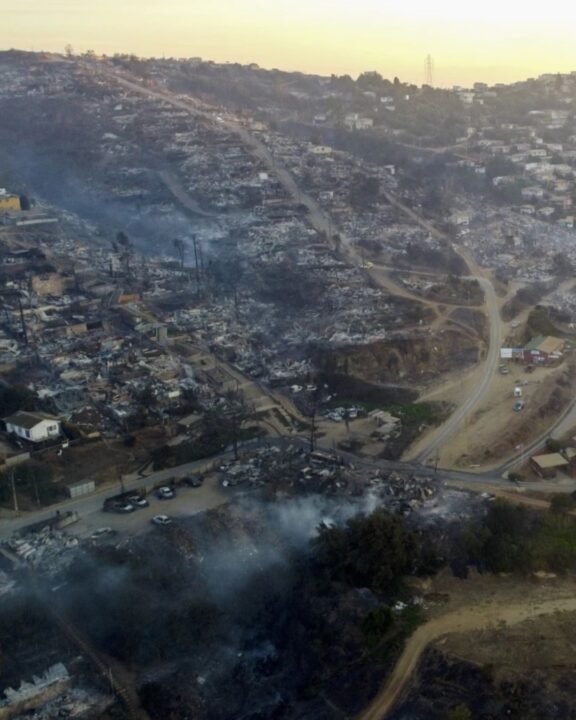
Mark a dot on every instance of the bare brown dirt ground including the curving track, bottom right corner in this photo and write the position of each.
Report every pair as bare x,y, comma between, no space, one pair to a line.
471,618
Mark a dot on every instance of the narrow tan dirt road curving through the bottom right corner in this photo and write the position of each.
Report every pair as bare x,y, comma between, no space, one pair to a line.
462,620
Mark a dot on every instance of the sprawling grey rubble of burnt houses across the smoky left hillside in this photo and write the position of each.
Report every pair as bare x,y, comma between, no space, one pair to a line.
99,302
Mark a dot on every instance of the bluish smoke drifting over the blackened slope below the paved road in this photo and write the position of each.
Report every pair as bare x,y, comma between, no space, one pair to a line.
211,614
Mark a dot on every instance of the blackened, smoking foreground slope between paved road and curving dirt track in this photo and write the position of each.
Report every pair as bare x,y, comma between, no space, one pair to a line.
232,613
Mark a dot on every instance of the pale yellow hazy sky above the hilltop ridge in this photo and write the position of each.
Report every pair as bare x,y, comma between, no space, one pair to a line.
491,40
